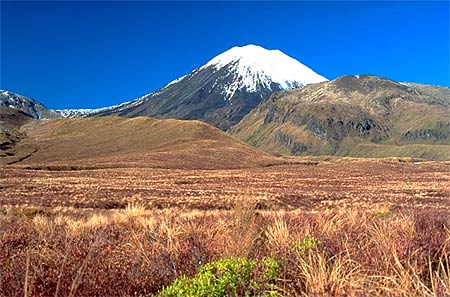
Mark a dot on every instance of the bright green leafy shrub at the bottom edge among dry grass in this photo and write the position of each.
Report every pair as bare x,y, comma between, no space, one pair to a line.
229,277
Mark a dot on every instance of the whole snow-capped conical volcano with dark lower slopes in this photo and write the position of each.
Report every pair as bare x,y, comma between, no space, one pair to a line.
224,90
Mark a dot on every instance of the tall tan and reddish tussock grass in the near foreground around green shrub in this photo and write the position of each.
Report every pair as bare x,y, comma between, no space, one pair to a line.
140,252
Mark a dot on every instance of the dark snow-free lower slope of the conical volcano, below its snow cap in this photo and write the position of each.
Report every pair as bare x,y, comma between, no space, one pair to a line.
199,96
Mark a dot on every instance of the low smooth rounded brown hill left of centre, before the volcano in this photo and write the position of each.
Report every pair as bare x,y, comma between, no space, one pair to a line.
137,142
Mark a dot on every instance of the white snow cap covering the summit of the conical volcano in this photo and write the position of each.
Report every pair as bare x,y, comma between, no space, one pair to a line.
253,64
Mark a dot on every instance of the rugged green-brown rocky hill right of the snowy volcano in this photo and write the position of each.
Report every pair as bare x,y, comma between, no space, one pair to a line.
364,116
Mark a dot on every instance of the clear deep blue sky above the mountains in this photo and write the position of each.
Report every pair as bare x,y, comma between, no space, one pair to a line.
92,54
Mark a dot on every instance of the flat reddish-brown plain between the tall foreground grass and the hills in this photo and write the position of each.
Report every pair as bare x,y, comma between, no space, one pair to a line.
388,184
